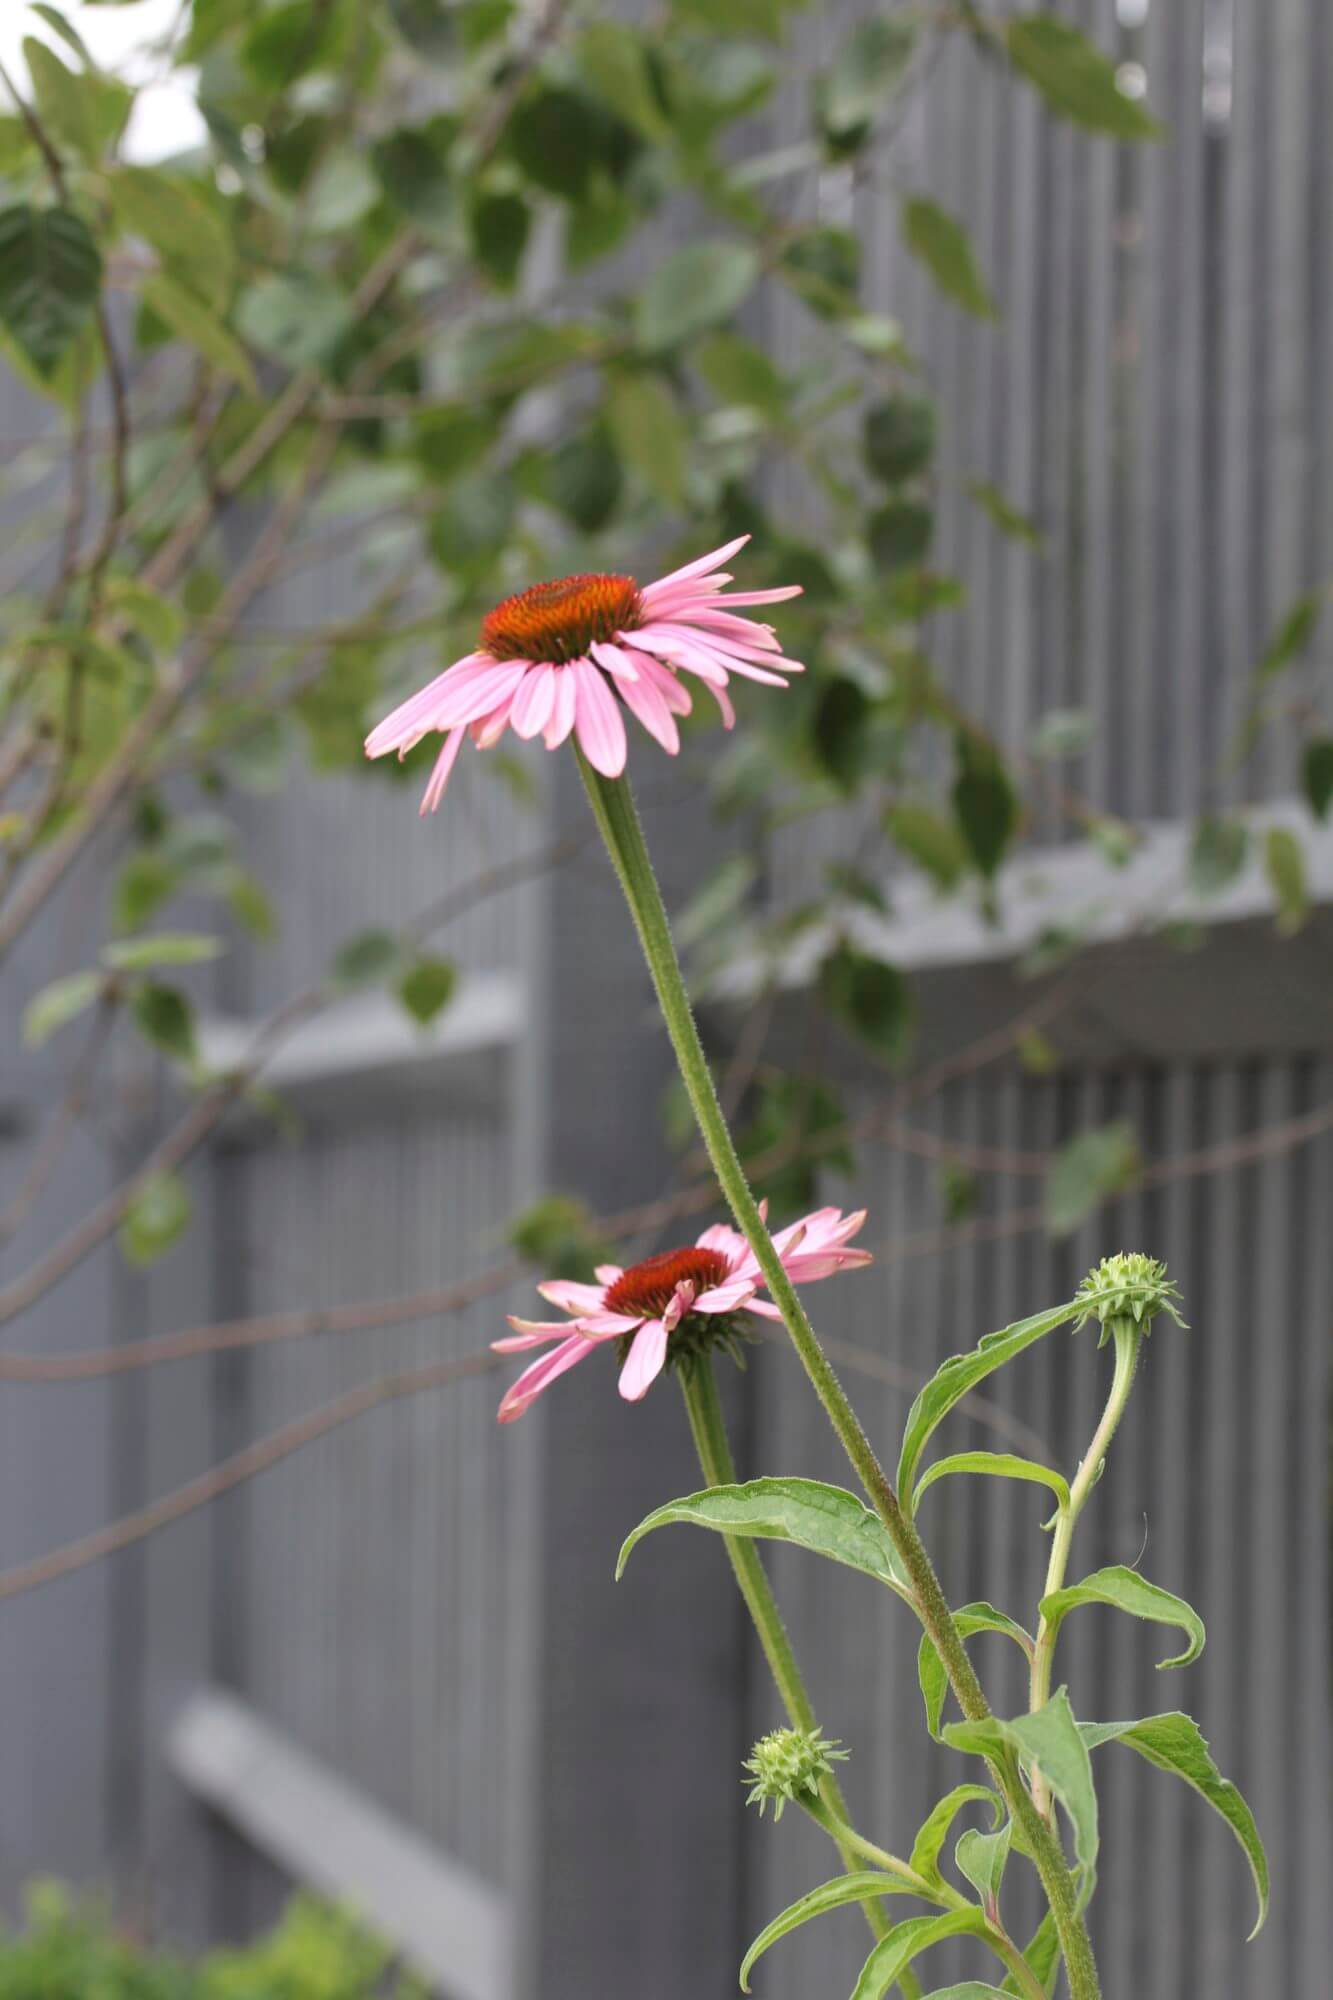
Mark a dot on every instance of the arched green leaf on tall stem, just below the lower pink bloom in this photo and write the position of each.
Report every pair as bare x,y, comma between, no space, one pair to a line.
824,1519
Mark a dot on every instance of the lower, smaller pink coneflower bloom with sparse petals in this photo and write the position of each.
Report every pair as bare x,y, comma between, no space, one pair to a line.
672,1305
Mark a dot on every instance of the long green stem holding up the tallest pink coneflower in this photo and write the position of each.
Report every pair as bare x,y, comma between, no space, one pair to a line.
617,819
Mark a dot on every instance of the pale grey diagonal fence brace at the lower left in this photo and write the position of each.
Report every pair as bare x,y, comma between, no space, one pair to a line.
447,1923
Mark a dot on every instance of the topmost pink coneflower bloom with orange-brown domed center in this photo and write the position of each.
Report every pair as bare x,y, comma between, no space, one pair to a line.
565,657
